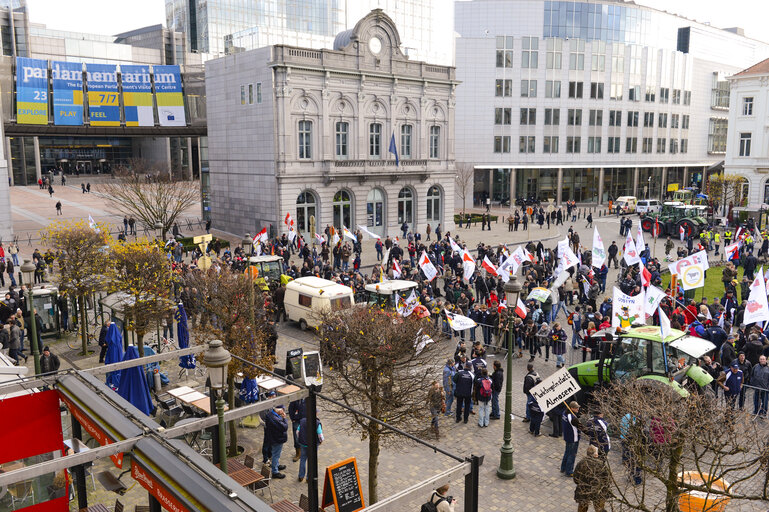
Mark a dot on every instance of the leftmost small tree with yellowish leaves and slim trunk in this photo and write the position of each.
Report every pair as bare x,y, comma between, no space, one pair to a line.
82,253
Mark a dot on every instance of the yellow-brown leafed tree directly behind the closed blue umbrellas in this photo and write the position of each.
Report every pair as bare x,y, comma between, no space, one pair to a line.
142,272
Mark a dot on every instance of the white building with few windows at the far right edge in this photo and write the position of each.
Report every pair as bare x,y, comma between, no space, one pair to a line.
747,146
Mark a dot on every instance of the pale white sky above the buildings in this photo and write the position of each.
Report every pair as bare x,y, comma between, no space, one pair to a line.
121,16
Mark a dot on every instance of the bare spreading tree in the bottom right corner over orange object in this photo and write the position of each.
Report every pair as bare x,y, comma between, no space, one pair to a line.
668,436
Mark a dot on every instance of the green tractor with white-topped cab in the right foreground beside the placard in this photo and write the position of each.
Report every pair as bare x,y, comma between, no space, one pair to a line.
641,353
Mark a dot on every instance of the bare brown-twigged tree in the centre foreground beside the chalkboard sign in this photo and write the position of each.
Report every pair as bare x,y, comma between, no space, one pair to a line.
378,371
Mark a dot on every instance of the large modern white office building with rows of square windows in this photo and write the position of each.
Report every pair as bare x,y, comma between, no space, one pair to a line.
588,101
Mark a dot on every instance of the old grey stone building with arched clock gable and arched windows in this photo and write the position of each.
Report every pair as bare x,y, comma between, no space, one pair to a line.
310,132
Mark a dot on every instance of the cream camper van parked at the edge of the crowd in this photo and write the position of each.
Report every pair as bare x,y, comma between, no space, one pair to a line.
308,297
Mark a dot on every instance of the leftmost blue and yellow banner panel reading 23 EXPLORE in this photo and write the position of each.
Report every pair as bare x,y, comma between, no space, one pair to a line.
31,91
